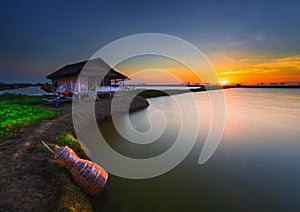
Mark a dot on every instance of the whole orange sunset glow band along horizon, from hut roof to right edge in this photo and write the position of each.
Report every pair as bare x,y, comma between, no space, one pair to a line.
229,70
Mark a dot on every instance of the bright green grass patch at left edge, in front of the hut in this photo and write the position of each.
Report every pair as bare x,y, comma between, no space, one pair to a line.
17,111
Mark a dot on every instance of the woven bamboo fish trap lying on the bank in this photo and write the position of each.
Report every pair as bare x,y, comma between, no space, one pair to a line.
87,174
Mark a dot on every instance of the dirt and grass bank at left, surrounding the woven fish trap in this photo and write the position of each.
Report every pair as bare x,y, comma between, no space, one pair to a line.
17,111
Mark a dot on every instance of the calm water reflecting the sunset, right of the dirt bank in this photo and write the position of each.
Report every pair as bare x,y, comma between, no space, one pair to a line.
255,168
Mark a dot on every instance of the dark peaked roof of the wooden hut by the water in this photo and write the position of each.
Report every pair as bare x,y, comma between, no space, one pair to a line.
93,68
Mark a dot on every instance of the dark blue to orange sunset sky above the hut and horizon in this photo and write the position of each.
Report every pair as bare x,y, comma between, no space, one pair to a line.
247,42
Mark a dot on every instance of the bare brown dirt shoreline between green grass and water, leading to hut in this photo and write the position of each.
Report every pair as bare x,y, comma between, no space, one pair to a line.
27,181
